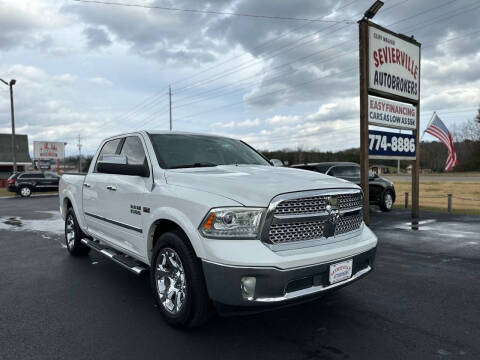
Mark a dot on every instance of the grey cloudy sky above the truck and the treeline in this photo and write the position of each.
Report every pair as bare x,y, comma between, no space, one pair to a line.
97,70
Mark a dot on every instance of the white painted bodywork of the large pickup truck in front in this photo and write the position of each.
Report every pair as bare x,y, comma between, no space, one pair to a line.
185,196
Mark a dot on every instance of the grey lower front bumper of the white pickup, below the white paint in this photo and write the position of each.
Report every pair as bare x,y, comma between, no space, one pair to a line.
275,286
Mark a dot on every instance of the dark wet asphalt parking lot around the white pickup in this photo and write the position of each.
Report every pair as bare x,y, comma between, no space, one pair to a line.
421,302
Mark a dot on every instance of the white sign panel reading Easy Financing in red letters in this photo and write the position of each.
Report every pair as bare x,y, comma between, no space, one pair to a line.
393,114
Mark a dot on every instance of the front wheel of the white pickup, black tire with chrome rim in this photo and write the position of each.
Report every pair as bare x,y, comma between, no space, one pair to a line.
196,308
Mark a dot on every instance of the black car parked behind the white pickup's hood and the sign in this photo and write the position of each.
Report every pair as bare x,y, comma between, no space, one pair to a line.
382,191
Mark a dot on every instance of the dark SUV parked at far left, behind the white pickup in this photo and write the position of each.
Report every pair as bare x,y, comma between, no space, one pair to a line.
24,183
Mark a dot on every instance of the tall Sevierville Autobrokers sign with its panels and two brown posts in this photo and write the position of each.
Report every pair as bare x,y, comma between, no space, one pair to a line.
389,97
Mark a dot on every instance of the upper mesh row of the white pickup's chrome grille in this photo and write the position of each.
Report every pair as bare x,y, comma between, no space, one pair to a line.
316,204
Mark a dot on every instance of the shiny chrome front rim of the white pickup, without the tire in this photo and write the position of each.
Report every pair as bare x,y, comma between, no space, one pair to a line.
170,280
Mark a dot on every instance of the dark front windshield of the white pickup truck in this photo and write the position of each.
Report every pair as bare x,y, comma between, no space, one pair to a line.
176,151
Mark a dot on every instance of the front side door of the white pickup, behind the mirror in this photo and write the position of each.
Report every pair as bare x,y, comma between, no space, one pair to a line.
127,198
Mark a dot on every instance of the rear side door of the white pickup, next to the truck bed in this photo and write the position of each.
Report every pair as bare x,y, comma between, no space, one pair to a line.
96,196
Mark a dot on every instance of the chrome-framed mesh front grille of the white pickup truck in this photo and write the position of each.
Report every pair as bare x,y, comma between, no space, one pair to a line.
304,217
